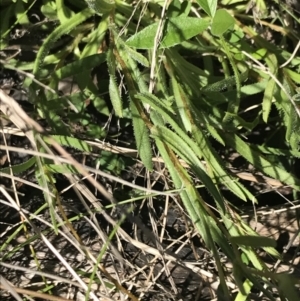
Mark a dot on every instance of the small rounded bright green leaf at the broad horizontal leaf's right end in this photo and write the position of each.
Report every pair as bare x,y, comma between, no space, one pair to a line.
222,22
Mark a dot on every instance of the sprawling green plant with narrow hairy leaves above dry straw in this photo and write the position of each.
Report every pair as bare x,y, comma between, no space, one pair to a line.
183,110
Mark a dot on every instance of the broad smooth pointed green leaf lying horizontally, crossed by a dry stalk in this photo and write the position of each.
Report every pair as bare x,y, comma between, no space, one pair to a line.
176,30
